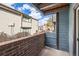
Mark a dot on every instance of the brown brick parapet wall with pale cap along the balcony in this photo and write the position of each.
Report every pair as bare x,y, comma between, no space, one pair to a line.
26,46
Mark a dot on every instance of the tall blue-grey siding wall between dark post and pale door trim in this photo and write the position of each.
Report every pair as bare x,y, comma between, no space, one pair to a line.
64,29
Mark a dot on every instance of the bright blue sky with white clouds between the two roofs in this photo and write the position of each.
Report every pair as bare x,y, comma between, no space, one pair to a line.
27,8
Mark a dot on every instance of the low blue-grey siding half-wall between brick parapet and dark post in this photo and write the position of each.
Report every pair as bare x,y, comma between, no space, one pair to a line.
50,39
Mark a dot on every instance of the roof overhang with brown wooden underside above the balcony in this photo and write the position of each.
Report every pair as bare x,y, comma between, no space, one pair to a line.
50,7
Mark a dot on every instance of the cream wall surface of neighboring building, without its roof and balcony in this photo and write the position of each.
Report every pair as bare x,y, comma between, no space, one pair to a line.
7,18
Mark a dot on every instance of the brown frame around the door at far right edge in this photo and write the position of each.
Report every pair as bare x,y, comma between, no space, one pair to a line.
75,29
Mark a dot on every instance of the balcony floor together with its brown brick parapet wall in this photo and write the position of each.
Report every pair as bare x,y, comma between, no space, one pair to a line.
28,46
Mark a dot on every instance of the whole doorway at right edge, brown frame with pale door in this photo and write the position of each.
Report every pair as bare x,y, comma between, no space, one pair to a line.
76,31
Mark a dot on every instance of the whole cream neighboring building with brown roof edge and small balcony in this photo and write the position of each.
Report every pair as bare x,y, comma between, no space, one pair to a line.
13,21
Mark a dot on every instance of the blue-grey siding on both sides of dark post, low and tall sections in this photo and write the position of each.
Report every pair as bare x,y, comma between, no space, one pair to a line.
63,32
